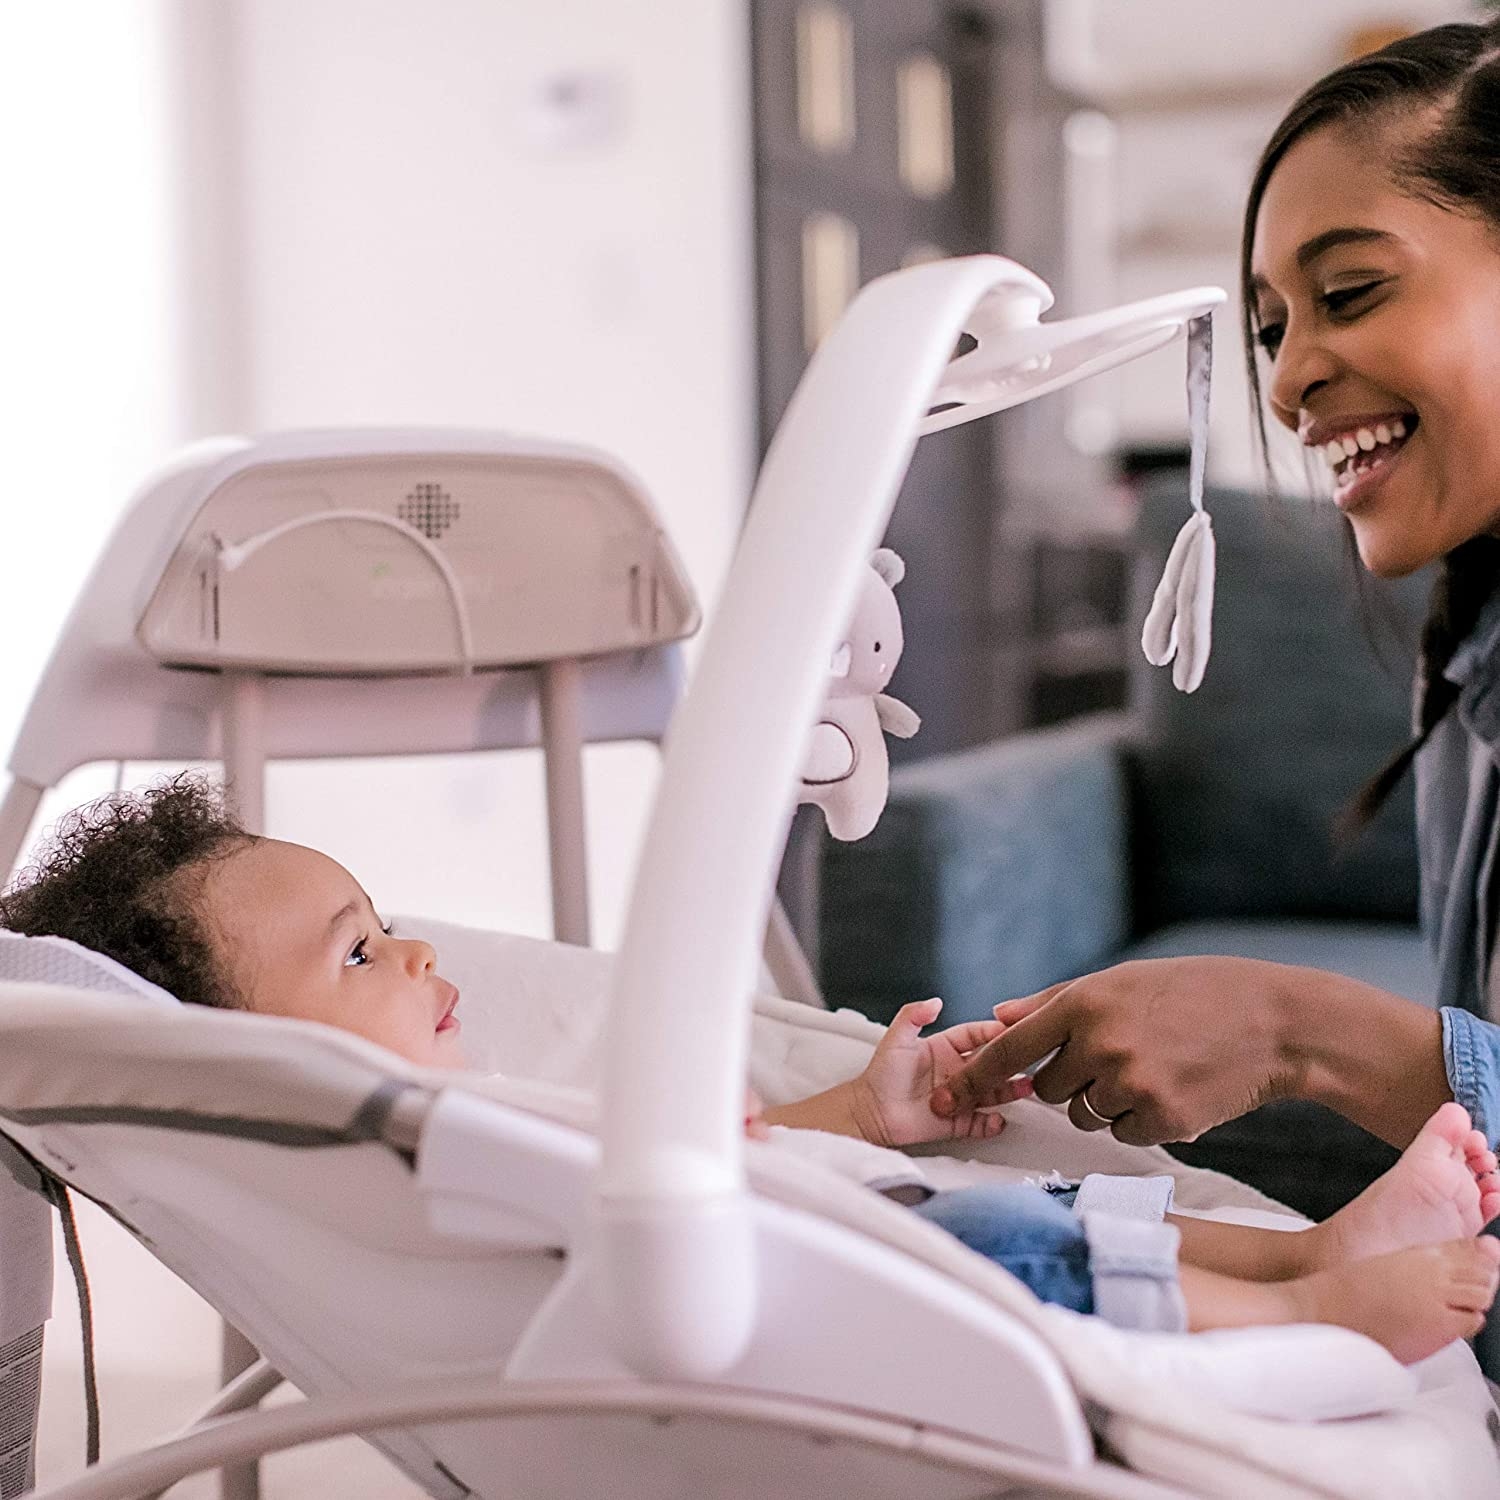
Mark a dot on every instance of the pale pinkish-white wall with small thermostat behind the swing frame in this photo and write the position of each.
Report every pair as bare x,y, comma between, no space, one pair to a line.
421,233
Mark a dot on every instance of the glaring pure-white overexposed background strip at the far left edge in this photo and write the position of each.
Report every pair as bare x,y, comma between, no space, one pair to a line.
89,394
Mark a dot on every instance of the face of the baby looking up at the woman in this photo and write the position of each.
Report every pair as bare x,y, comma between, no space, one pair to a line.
301,938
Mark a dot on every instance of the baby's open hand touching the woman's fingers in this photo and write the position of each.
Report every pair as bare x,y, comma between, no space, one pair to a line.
892,1096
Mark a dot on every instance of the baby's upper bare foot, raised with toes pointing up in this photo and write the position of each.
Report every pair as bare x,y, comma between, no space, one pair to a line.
1444,1187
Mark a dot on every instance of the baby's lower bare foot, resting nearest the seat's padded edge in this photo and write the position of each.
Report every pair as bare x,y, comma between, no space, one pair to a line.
1414,1303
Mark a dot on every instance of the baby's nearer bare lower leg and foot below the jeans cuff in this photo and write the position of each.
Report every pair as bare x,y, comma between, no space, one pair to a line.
1414,1301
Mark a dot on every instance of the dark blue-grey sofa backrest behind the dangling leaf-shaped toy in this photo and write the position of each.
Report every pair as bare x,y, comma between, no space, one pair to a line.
1237,785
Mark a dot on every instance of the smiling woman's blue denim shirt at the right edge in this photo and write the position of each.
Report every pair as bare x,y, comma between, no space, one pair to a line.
1459,835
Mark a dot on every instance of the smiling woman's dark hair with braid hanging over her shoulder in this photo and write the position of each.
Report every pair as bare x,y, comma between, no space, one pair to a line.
1450,74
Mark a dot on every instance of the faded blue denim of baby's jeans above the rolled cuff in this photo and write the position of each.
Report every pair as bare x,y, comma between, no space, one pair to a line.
1030,1232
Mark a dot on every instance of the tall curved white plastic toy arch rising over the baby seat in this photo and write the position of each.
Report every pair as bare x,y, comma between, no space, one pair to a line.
674,1267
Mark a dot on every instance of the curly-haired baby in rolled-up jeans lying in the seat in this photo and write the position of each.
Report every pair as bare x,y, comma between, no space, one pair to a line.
170,886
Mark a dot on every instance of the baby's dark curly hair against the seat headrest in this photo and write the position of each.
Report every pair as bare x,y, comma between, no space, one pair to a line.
118,877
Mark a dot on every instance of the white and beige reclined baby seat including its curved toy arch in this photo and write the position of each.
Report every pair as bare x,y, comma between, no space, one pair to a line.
578,1279
